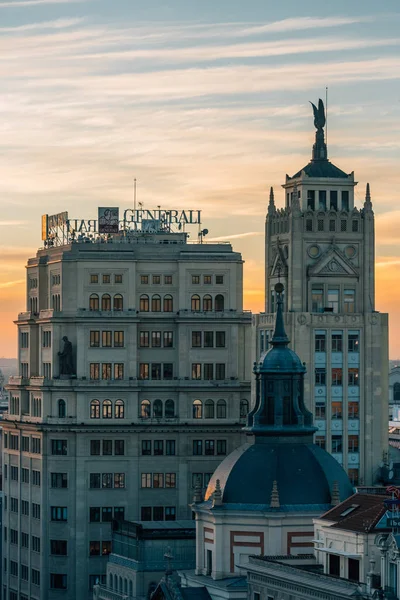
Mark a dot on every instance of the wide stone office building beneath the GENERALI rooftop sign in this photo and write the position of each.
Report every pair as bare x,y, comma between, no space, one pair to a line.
134,384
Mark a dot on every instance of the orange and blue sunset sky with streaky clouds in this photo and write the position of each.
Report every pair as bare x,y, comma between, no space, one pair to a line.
206,104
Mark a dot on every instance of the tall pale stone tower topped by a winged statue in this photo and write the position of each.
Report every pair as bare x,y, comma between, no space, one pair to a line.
320,245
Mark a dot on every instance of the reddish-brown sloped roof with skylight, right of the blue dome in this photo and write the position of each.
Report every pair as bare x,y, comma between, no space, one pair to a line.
368,510
